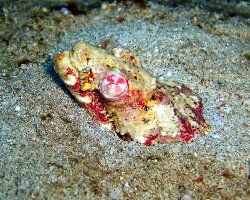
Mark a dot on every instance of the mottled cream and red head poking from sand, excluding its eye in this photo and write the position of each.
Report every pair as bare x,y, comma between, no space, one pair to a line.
151,111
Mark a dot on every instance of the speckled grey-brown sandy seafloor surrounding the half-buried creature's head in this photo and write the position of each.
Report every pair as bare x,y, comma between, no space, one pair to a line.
51,148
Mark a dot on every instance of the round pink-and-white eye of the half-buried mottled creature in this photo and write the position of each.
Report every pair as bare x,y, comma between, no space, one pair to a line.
113,86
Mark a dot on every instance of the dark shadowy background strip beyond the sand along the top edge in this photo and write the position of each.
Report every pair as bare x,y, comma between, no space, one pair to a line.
232,7
